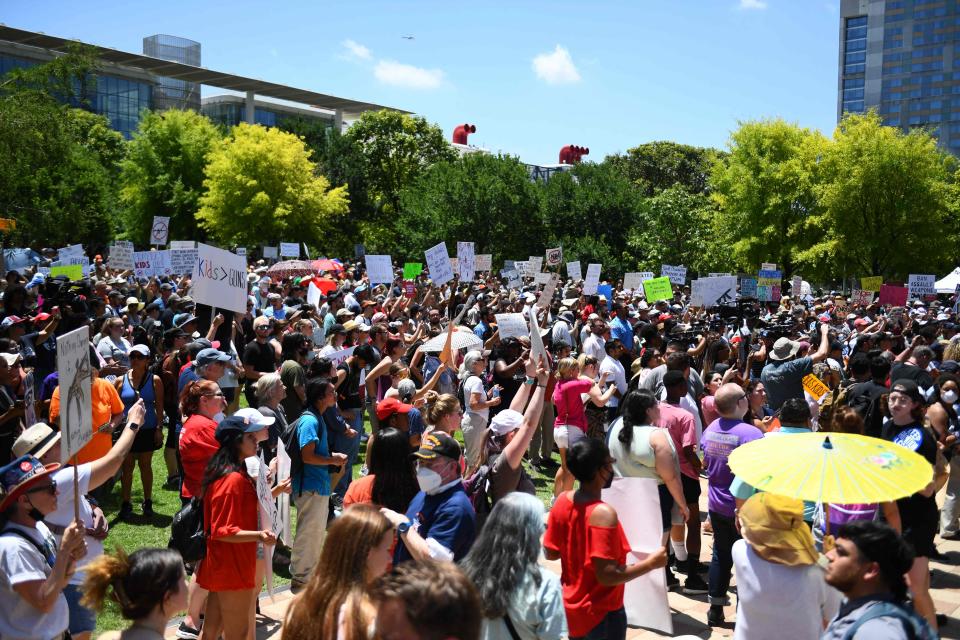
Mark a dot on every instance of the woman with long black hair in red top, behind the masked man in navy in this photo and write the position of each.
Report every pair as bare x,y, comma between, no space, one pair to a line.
392,478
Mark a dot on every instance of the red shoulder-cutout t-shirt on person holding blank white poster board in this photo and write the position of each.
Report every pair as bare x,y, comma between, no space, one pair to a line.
570,533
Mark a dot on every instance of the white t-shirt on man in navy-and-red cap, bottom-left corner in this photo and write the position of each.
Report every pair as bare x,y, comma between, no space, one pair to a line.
21,561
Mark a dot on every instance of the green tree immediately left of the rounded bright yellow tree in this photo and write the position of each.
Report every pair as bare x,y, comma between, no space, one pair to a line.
162,174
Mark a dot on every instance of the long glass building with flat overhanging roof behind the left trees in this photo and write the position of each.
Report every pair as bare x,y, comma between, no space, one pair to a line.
126,83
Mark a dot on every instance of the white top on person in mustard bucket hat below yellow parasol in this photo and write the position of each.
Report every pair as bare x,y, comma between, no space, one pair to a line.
773,598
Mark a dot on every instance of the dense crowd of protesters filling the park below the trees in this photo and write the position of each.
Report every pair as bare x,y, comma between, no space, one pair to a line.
441,535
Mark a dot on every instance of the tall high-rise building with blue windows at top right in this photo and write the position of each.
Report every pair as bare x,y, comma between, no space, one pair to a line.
902,58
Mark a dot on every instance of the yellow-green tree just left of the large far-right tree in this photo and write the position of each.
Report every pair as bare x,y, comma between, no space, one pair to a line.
764,190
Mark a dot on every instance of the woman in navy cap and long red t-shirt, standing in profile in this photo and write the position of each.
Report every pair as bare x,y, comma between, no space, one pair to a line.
231,519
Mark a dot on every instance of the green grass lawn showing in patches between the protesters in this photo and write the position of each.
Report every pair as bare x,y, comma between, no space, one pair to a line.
141,531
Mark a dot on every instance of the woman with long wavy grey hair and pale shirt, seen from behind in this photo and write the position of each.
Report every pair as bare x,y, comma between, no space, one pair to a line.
515,591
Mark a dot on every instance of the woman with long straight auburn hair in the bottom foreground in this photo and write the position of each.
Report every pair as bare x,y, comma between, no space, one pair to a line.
336,602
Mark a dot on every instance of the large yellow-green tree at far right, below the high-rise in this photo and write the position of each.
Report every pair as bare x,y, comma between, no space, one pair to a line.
888,203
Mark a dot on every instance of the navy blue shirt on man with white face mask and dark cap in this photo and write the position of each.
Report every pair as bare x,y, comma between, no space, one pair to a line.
447,517
